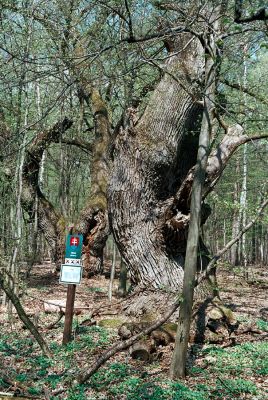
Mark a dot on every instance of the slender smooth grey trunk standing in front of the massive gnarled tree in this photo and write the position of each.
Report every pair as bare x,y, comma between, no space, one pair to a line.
178,362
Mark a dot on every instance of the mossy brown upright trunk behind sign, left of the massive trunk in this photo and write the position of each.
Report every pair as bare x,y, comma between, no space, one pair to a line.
93,221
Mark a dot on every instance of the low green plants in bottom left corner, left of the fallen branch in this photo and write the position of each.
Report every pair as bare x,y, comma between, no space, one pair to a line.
40,369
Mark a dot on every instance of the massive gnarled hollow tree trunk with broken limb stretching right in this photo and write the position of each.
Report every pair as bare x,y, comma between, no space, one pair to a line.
150,185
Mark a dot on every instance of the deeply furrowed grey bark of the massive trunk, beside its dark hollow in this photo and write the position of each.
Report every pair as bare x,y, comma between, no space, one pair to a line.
149,165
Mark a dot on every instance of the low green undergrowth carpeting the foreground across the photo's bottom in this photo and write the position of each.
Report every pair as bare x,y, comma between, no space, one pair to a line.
229,373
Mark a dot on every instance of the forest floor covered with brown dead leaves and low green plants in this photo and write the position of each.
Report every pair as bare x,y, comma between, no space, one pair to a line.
234,369
